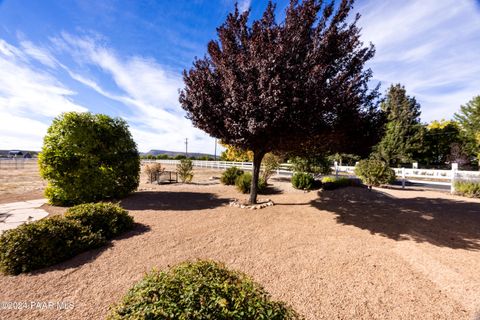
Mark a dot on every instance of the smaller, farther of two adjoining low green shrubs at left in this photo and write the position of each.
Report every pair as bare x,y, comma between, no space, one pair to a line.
107,219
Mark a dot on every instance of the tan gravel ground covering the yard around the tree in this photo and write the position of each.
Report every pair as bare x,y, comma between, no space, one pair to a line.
343,254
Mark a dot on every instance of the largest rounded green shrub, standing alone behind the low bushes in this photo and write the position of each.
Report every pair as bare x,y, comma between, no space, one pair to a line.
88,157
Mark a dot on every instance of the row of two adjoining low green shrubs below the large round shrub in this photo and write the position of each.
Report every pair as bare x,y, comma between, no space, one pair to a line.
52,240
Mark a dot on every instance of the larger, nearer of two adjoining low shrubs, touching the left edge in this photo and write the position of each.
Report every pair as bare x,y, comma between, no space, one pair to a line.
43,243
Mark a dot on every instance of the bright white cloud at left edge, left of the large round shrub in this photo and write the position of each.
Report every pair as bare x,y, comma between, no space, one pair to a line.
27,94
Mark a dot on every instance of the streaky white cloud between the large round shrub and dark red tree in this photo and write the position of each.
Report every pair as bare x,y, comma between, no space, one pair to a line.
149,90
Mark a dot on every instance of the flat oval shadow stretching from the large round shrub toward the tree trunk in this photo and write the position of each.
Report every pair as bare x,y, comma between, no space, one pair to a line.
181,201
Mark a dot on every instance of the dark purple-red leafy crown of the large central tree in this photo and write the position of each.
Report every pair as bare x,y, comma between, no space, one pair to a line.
284,86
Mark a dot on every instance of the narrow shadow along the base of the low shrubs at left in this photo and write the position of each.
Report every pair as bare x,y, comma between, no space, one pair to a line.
91,255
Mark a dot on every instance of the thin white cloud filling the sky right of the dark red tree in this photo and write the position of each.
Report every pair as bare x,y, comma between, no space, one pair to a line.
429,46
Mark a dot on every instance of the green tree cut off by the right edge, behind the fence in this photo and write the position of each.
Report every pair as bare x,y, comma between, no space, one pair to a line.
469,120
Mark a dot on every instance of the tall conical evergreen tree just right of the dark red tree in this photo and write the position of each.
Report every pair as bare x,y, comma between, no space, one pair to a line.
403,131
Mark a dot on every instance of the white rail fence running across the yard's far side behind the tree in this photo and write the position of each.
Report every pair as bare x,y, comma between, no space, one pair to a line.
404,175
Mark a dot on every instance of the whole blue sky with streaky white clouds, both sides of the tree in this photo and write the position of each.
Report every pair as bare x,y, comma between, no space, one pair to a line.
125,58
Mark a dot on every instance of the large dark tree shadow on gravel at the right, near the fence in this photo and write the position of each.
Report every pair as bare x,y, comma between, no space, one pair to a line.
441,222
